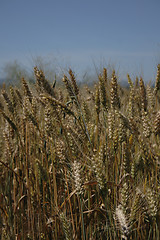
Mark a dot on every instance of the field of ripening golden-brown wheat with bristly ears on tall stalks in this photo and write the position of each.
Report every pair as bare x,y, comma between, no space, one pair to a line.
80,163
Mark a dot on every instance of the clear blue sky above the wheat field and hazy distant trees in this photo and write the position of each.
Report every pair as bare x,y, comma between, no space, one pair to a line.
124,33
